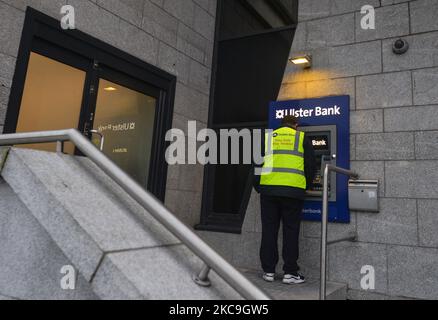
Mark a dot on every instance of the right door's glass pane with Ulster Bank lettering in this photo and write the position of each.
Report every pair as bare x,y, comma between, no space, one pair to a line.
126,119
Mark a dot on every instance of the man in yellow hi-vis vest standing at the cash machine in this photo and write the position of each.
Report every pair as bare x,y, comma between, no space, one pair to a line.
289,168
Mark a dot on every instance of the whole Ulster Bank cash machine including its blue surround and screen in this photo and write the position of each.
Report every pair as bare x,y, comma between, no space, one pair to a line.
326,122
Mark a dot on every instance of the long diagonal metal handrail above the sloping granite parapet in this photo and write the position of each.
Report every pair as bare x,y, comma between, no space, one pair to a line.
210,257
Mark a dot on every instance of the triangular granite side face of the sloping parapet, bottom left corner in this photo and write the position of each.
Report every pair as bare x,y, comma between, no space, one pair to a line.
30,261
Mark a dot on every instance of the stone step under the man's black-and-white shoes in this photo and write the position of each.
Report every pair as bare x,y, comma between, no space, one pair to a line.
306,291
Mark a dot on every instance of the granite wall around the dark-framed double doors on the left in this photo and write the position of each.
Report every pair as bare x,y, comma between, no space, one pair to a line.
174,35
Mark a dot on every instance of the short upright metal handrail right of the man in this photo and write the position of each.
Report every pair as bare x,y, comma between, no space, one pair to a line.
328,168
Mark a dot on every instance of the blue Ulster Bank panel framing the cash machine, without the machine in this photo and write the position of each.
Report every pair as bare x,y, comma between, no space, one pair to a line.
323,112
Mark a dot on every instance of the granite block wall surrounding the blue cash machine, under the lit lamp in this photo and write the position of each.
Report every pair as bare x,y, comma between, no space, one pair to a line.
394,126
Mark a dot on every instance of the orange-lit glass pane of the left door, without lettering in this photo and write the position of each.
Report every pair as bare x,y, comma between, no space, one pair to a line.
51,100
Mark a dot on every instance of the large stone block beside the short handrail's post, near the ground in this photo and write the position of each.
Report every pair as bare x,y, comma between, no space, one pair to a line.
347,259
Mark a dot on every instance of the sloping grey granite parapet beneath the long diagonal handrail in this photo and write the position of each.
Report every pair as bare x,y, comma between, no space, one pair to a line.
58,210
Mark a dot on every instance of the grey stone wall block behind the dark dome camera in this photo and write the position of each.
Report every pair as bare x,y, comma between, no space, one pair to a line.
422,53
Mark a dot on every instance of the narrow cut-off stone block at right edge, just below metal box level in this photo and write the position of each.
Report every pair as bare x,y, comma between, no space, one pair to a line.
428,220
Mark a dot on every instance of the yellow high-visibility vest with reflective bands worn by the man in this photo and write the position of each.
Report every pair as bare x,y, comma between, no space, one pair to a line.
284,159
